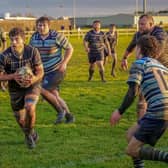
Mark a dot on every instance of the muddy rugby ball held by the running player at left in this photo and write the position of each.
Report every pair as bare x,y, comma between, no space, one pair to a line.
26,74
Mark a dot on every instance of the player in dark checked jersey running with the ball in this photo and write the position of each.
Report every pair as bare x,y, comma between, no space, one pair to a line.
23,99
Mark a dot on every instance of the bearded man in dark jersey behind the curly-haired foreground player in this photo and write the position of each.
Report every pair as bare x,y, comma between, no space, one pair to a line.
146,26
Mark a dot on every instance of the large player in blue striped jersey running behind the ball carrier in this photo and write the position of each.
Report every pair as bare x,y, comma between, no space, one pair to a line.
50,44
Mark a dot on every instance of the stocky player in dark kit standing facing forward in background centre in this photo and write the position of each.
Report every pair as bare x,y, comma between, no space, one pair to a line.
94,43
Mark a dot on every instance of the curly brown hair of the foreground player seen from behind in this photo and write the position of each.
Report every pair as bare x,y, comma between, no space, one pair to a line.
149,46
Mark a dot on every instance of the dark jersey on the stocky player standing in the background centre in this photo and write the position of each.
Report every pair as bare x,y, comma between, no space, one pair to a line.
96,41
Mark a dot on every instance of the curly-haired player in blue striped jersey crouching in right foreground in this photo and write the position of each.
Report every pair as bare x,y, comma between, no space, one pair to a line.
151,77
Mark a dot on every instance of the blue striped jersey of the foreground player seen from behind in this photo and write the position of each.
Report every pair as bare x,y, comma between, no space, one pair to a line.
153,80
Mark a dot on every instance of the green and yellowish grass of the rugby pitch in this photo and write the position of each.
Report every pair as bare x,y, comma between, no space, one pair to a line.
90,142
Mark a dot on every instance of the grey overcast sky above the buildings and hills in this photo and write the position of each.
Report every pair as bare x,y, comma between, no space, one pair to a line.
57,8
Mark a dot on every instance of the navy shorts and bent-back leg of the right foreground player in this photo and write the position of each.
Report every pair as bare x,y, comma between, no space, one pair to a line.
149,132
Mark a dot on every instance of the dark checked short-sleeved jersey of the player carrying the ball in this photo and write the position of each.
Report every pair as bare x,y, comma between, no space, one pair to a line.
9,62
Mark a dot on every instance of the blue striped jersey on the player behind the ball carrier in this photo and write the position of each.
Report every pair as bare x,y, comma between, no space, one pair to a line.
50,49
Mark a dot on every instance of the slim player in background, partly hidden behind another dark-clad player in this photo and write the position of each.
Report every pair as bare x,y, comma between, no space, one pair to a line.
112,37
